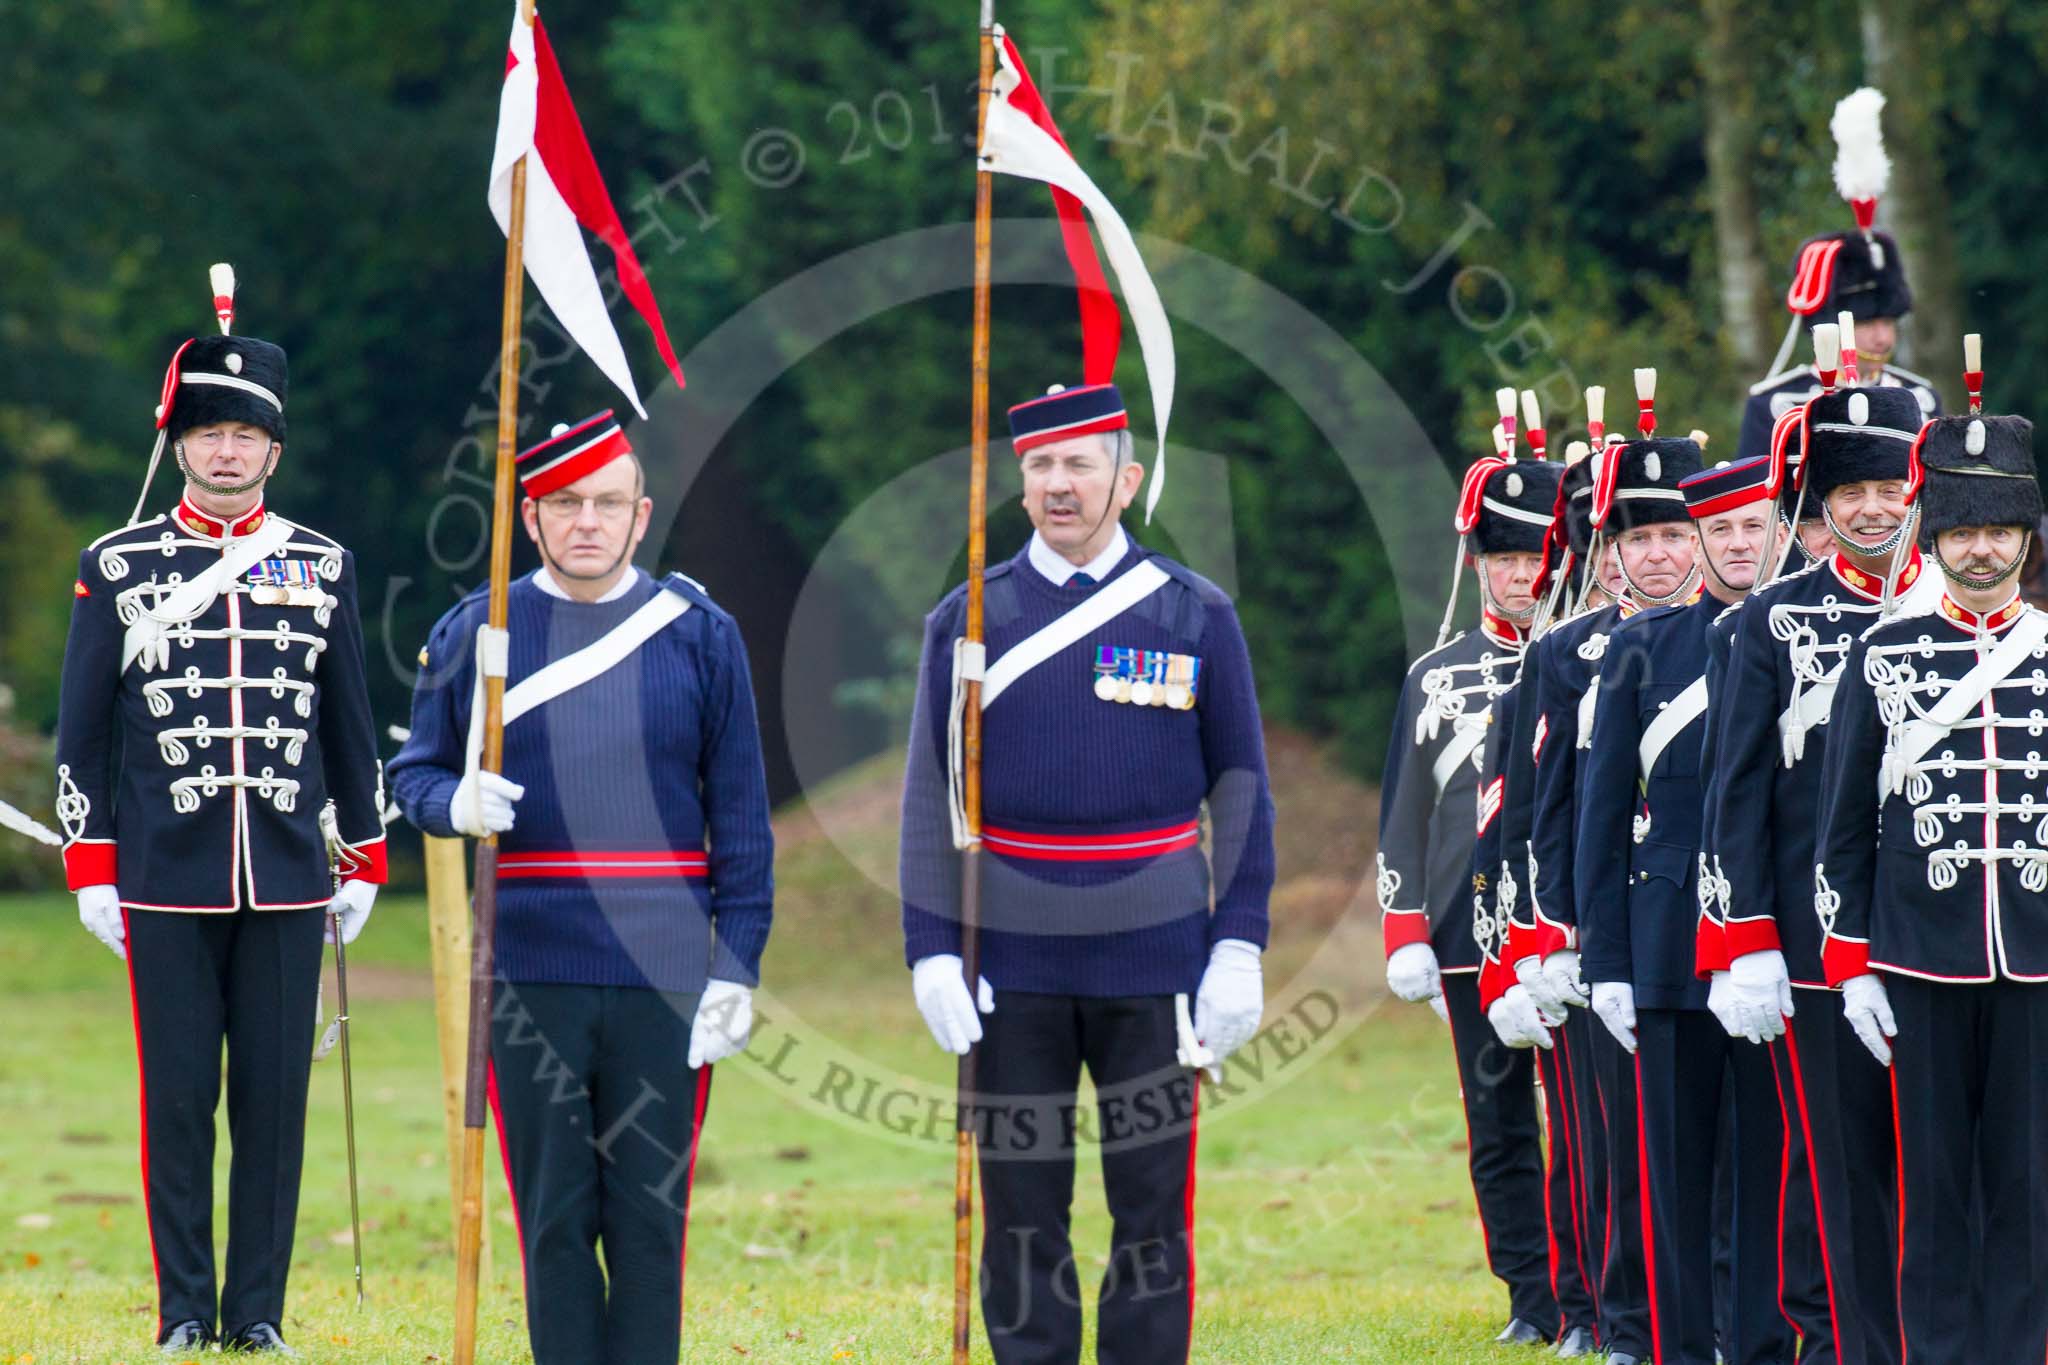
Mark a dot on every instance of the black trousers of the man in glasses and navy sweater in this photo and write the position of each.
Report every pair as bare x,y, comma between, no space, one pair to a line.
599,1118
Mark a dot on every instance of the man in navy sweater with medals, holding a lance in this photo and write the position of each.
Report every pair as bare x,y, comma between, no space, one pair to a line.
1117,705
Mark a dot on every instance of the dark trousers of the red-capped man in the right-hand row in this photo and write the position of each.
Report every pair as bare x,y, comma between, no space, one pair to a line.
1682,1063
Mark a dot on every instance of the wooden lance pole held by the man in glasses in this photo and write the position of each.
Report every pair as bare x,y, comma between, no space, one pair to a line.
470,1227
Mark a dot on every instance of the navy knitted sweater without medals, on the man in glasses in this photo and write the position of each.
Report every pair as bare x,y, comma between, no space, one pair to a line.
642,854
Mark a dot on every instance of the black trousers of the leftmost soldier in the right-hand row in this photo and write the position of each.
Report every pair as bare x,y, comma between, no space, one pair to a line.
1506,1155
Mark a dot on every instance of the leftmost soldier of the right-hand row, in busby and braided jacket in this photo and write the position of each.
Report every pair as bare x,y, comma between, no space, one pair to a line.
1428,801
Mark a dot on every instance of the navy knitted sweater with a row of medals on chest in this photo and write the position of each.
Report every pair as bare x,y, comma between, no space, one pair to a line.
1066,775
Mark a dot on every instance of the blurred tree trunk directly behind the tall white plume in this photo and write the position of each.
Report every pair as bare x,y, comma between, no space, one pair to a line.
1900,60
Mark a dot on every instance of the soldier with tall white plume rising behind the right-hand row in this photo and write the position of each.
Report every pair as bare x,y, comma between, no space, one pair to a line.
1852,275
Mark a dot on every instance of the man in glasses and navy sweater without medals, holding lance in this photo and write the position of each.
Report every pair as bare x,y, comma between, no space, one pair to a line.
636,887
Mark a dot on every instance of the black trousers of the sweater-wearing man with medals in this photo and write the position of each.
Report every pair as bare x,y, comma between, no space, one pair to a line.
1029,1120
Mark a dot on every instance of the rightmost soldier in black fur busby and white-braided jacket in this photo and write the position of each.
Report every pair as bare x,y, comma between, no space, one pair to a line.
1932,893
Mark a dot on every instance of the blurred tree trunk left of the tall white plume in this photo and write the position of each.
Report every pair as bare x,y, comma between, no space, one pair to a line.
1732,138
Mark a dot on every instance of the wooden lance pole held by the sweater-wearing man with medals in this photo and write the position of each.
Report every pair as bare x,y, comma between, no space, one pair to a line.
978,556
